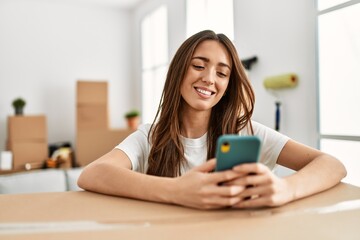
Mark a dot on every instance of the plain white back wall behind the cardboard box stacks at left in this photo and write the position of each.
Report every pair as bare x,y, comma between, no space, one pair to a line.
46,46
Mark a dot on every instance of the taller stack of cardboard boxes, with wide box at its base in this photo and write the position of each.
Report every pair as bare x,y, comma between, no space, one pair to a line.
94,137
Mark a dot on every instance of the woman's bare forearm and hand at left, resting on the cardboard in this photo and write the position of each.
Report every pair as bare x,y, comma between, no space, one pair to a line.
198,188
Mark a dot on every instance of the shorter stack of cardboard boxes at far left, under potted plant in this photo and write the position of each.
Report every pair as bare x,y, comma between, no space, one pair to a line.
27,140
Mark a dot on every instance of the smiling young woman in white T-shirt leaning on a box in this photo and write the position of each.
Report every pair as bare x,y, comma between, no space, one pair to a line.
207,94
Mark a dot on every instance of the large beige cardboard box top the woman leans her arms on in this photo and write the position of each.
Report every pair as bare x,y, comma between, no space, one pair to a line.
333,214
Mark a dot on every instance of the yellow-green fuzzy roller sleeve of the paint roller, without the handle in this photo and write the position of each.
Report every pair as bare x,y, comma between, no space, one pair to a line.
289,80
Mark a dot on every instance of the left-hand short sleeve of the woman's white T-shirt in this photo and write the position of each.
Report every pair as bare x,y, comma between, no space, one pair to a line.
136,147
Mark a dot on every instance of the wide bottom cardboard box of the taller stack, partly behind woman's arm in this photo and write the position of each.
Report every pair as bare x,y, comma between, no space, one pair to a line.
90,145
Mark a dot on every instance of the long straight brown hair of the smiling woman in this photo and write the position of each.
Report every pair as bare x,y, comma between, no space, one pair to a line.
228,116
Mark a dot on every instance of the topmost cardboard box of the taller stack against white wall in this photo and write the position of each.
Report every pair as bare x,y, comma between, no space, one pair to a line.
92,92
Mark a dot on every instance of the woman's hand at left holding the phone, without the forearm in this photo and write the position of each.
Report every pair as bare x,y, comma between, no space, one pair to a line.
201,188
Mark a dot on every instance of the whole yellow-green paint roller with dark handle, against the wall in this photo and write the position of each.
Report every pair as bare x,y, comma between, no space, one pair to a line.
279,82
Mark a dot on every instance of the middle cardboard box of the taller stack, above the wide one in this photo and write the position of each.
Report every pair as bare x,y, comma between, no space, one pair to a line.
92,117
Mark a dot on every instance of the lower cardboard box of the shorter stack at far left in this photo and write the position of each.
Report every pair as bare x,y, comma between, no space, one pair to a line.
28,152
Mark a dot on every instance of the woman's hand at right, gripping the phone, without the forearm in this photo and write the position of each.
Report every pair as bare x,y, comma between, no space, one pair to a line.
262,188
